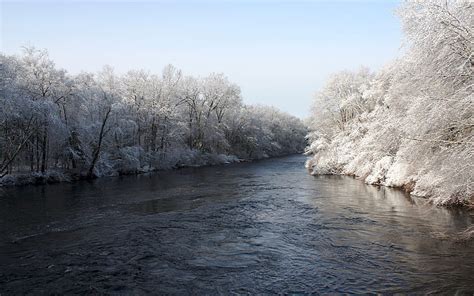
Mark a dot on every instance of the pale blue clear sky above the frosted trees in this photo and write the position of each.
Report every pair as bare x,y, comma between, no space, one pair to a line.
278,52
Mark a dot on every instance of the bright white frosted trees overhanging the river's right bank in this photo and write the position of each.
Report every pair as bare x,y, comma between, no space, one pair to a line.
411,123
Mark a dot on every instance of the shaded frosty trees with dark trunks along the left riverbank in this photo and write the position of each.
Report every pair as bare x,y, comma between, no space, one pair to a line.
55,126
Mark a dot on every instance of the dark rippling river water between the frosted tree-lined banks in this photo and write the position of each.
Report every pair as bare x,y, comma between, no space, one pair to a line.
254,228
